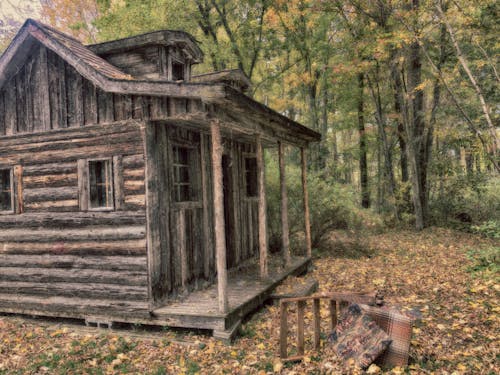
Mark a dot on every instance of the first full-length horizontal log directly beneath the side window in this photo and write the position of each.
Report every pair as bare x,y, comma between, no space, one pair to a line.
74,220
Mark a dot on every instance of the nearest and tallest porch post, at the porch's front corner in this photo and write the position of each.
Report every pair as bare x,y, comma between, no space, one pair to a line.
220,237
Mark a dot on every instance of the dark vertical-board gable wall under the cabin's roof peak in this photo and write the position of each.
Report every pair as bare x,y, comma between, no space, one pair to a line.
47,93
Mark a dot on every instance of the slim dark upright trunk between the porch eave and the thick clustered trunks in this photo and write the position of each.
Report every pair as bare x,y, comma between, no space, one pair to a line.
363,162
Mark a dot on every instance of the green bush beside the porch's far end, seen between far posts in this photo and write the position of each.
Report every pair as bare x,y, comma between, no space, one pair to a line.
332,206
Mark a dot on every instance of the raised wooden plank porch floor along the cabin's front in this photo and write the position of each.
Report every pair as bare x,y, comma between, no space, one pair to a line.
245,292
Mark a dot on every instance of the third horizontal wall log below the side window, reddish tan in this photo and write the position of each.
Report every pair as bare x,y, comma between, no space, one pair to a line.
127,247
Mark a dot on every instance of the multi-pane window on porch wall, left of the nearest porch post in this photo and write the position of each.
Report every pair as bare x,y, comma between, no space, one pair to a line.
185,188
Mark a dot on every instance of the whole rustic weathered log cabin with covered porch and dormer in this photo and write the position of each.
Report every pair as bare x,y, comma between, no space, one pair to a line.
132,190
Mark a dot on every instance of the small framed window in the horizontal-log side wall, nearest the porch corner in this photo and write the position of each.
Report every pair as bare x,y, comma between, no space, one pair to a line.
100,184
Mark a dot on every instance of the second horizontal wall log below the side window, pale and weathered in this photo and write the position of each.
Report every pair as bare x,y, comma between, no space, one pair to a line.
69,235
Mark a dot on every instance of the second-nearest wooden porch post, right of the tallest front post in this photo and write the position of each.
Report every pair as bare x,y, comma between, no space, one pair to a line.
262,208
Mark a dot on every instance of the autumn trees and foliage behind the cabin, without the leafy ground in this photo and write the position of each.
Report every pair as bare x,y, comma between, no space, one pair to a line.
404,93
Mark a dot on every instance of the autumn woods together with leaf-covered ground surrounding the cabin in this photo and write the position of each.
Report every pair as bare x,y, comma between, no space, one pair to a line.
405,94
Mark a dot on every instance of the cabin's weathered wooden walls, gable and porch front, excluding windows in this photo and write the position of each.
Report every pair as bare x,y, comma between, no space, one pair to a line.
54,254
